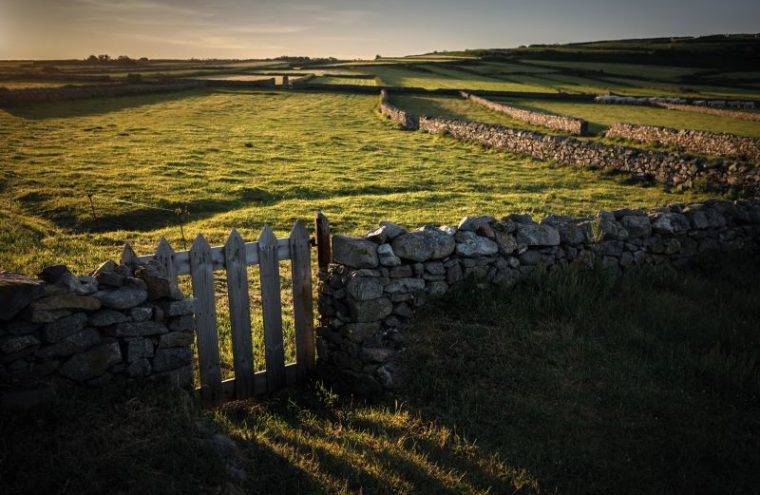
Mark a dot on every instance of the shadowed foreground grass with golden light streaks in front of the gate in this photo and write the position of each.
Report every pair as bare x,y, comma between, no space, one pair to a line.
575,382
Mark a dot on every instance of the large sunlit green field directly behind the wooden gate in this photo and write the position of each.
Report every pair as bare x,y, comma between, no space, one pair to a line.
239,159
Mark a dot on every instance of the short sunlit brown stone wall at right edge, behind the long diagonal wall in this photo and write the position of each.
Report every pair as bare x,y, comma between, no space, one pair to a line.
710,143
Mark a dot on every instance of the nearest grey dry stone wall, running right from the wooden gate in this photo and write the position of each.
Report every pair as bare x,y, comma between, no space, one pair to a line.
375,283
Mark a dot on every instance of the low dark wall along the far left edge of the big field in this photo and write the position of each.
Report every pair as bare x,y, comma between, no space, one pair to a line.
13,97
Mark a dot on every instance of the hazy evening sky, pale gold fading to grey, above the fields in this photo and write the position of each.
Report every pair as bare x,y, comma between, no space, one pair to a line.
54,29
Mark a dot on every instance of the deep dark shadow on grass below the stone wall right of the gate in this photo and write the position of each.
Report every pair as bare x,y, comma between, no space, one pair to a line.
648,383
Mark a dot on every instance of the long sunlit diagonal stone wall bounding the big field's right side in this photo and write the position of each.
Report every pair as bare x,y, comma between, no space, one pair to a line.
677,170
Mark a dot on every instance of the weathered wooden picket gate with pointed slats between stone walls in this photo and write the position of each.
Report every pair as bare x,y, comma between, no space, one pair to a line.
201,261
